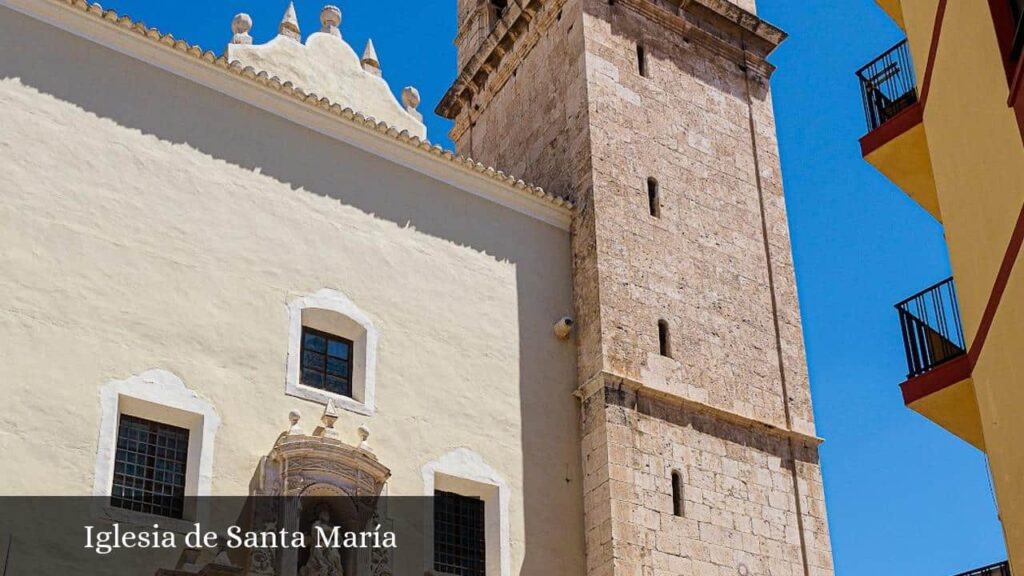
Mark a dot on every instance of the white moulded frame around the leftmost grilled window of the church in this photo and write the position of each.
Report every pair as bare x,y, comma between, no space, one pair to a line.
161,397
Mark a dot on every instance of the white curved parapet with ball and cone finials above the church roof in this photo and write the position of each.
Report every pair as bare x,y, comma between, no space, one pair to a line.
328,66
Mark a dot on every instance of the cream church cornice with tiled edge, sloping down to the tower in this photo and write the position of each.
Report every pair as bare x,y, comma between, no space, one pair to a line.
259,89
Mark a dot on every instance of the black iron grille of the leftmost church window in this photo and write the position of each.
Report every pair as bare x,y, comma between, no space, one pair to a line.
150,468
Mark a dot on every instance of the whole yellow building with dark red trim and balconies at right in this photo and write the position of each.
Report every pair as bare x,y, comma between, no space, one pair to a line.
946,114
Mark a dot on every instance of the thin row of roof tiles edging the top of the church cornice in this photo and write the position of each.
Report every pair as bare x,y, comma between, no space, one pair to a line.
287,89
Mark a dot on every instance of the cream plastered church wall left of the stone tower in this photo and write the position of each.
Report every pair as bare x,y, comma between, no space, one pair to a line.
148,223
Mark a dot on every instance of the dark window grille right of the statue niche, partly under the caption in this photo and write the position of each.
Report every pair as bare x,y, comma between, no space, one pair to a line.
459,536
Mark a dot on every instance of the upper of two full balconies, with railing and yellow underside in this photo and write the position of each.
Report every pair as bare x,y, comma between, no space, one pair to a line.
895,143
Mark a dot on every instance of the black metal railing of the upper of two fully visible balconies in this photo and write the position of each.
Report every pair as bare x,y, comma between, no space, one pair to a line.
888,86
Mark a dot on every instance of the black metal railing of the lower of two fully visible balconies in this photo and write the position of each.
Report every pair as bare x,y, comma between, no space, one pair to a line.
932,330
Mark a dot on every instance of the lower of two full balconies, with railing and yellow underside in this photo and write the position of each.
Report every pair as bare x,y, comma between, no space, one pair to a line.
938,384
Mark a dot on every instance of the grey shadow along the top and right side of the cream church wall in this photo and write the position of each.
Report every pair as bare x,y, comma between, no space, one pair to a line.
179,112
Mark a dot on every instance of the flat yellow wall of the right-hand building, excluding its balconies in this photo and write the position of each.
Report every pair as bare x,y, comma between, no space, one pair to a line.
978,161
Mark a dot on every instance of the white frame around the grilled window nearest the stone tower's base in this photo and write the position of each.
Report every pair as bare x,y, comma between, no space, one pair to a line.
464,472
